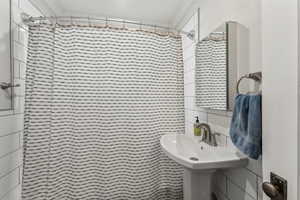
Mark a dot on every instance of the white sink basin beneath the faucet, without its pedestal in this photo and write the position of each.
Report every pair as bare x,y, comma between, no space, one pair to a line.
192,154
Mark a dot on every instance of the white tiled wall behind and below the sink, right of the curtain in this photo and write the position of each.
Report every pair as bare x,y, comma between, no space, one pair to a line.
233,184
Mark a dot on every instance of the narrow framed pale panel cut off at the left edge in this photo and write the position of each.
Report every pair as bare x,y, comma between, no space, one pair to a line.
5,55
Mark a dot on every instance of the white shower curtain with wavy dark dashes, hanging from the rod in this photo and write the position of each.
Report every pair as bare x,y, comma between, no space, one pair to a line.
97,102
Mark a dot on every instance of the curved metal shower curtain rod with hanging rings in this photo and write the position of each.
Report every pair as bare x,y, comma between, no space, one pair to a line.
29,19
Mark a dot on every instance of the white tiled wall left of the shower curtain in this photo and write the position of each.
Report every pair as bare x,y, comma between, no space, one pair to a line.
11,122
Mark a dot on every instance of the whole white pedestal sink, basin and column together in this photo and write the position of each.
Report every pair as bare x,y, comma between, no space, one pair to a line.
200,161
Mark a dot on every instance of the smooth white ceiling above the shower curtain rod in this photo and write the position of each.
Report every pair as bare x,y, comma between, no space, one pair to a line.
160,12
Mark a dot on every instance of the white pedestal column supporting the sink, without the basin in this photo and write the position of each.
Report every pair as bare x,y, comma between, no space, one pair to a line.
197,184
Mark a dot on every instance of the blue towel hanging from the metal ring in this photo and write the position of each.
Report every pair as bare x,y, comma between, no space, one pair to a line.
246,125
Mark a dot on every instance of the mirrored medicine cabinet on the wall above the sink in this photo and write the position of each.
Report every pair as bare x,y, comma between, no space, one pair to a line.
221,58
